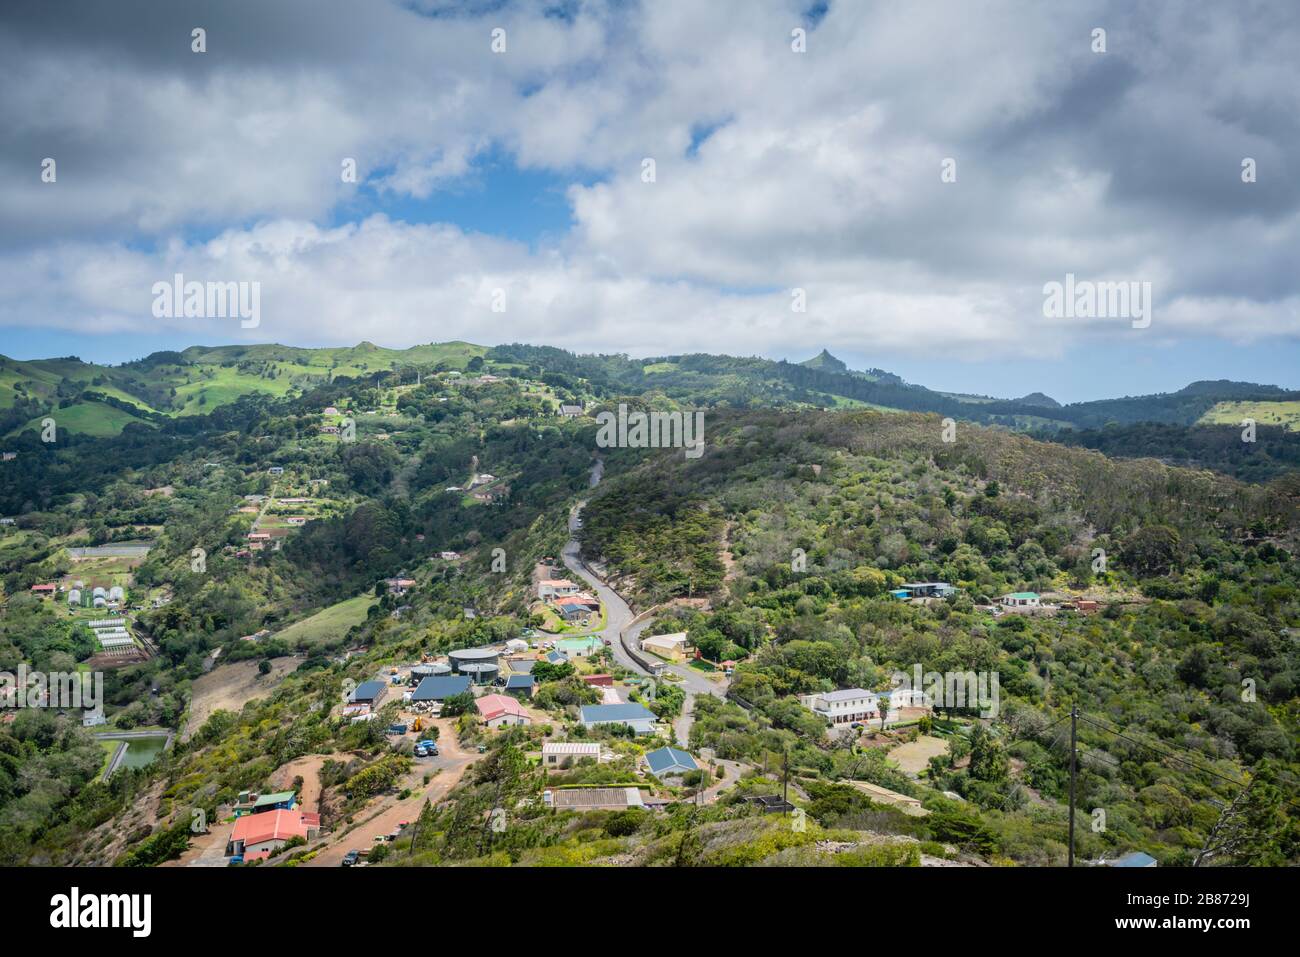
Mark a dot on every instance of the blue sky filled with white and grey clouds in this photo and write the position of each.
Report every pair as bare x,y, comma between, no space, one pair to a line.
518,177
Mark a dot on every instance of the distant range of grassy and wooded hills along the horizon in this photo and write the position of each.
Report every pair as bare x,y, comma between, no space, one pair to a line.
105,400
